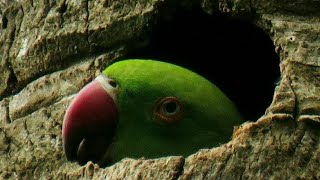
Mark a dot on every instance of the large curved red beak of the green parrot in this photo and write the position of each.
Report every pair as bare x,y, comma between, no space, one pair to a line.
89,123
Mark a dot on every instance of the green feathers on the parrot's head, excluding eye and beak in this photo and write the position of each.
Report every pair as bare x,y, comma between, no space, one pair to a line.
207,120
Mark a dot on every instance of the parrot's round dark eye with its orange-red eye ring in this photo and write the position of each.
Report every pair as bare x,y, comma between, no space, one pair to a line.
168,110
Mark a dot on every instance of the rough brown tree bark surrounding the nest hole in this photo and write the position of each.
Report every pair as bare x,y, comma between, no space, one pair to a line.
50,49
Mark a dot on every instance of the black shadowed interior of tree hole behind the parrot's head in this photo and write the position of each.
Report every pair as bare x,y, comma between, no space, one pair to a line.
234,54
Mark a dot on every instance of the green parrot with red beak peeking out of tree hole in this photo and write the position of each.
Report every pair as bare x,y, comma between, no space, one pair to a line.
146,108
